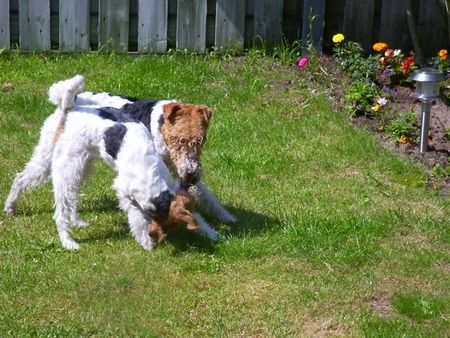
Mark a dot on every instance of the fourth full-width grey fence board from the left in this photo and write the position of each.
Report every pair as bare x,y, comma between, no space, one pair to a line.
152,26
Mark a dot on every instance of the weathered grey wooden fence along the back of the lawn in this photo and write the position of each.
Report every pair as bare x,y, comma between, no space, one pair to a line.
156,25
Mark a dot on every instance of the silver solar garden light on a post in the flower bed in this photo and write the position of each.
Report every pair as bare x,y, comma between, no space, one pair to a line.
427,89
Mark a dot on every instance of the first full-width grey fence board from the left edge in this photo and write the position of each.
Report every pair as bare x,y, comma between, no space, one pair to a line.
34,25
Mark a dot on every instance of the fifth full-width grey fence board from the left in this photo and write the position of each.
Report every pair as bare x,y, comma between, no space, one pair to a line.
191,25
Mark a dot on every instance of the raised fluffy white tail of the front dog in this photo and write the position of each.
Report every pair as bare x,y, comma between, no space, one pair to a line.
63,94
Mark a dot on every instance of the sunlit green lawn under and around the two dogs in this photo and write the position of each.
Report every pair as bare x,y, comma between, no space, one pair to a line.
336,235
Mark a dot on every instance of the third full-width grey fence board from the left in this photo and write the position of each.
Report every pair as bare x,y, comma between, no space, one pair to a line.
113,24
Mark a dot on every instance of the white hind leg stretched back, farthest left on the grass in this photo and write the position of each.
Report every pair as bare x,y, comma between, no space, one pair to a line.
36,172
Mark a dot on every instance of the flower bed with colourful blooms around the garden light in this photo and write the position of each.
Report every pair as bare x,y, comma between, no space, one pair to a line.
376,90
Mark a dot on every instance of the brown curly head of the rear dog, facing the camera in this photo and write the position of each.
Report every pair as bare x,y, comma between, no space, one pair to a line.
184,132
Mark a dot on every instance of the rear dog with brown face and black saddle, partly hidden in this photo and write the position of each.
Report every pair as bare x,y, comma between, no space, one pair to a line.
178,131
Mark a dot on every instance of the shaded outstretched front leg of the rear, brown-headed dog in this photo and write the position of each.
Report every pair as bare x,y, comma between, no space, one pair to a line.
209,203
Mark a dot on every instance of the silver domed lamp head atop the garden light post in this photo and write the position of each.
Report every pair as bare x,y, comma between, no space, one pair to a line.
427,83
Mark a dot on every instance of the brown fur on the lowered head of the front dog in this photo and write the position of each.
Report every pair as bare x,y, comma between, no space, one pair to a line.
180,212
